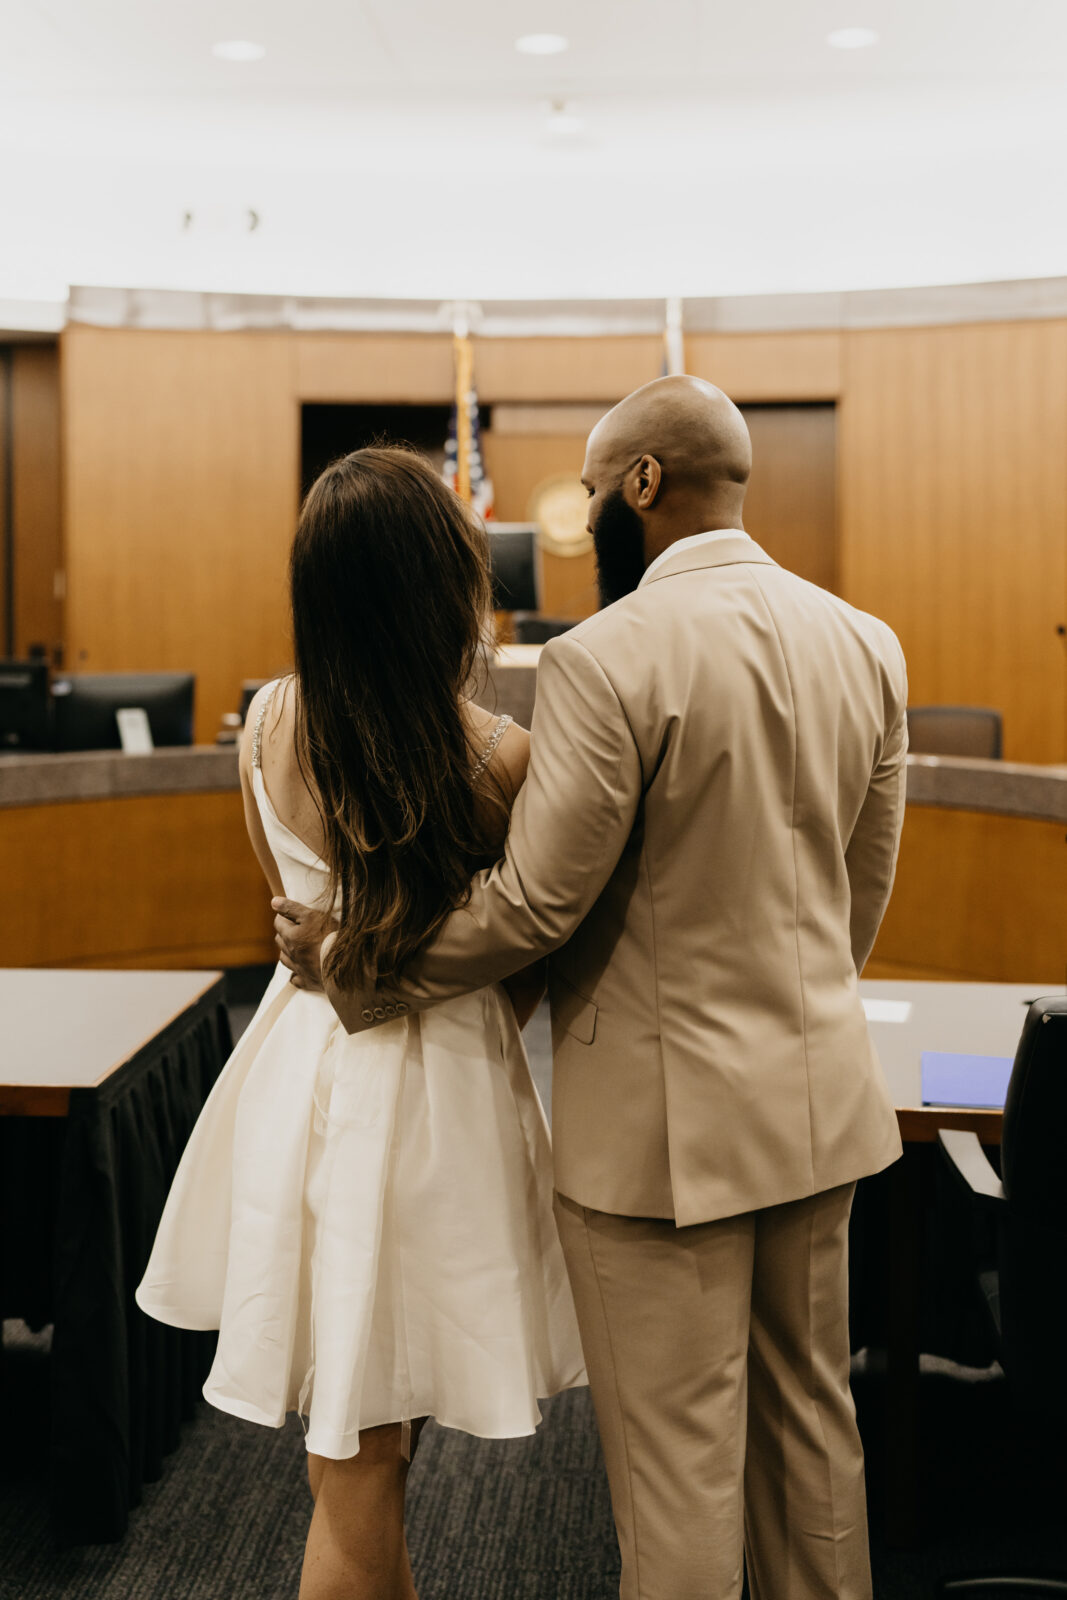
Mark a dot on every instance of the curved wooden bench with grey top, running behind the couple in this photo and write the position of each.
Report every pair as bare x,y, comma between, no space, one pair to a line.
143,862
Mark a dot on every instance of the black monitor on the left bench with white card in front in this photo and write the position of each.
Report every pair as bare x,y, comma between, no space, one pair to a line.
86,705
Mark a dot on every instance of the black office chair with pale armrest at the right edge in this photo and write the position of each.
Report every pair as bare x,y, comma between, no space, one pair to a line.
1028,1294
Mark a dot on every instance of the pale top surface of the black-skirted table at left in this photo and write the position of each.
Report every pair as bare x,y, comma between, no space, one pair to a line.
71,1030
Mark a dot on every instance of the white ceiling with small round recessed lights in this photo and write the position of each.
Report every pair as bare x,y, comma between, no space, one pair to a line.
401,146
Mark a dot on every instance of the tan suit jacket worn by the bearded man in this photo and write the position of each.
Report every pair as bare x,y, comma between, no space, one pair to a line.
705,847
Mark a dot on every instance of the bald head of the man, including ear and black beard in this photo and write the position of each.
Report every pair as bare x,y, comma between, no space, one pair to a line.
668,462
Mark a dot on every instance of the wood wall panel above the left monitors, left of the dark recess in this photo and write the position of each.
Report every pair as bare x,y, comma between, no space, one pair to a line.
182,495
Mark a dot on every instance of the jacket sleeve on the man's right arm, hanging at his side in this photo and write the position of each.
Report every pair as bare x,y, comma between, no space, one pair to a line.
873,850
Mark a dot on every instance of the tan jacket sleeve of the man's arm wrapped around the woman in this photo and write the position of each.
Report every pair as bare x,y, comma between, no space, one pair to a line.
569,828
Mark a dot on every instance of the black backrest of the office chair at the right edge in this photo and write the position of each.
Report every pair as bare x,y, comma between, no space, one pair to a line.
1034,1236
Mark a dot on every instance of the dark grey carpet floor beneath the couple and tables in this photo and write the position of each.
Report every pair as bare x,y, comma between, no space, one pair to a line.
489,1521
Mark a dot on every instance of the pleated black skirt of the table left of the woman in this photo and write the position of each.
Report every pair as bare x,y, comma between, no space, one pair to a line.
82,1199
